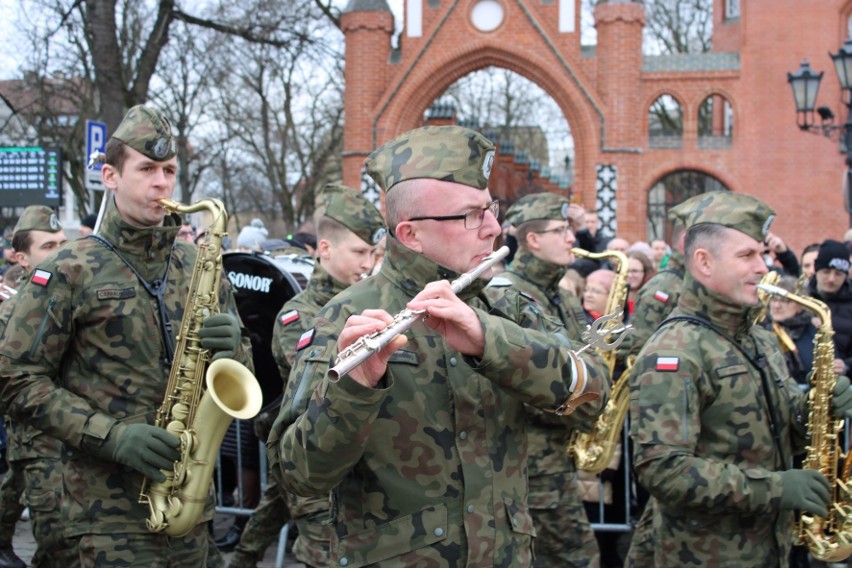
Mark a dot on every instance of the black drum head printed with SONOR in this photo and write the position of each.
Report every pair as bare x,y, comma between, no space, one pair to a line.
261,287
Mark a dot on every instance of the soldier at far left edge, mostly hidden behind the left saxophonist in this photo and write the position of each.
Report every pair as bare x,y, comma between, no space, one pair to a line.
34,458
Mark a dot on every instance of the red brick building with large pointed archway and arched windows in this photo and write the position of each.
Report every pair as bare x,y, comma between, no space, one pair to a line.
737,127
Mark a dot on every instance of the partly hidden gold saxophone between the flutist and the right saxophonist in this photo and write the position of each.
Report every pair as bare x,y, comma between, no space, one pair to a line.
593,451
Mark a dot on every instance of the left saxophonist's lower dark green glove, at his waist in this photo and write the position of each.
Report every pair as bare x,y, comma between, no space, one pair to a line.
147,449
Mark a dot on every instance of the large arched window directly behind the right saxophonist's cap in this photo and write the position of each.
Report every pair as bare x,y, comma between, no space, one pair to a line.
669,191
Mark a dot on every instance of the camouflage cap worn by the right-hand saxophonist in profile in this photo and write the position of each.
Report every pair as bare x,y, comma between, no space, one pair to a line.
739,211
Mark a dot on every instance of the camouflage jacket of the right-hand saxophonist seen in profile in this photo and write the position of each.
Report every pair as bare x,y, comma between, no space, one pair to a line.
703,441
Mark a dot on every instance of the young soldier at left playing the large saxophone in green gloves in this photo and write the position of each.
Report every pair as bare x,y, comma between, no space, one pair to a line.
87,351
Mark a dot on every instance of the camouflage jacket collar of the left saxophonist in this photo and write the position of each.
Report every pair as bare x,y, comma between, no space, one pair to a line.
146,248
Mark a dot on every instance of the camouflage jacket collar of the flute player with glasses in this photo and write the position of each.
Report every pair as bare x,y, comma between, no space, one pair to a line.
411,271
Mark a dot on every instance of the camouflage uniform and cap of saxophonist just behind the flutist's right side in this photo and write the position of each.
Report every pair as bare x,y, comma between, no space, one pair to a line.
564,535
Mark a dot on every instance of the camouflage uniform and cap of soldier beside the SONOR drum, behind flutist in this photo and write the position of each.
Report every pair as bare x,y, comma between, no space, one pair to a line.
294,319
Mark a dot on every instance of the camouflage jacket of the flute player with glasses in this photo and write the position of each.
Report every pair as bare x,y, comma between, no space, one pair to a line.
429,467
